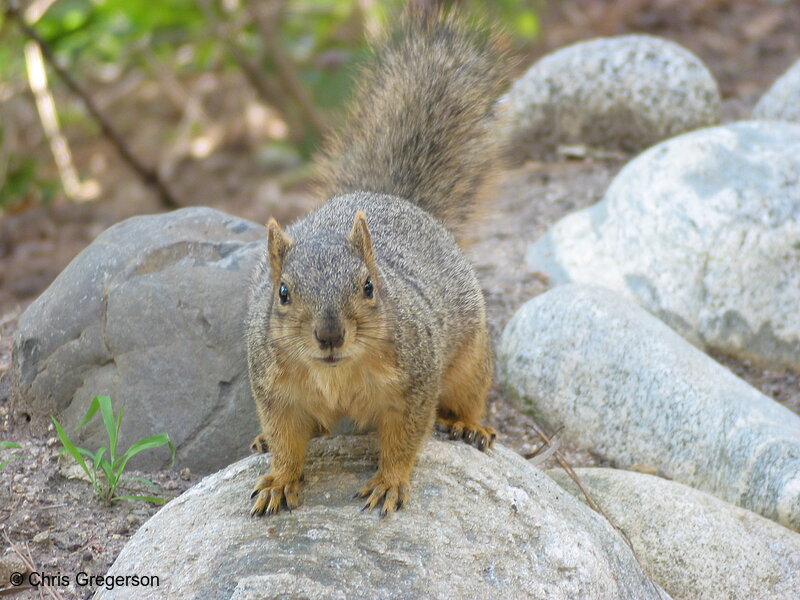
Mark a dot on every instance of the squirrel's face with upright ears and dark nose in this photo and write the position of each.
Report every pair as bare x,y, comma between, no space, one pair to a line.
326,304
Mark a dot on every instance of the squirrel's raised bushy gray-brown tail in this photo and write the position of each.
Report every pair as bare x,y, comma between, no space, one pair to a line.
424,125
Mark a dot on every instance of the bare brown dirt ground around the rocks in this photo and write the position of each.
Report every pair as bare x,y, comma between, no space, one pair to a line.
57,521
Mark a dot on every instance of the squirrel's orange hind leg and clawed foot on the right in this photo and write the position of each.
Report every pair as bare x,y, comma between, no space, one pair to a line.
465,383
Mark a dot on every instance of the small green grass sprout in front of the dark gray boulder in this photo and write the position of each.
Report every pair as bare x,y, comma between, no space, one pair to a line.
104,467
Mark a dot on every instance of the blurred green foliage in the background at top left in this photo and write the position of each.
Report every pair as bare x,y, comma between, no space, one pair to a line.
296,56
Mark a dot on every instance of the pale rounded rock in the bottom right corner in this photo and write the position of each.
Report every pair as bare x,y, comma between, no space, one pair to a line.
692,544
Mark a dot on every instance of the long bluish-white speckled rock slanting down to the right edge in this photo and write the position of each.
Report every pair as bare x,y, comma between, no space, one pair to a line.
627,387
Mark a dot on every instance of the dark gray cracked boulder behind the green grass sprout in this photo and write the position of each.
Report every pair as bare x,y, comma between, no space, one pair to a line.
151,314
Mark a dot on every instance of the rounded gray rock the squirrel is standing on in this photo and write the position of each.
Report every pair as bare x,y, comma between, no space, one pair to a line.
478,525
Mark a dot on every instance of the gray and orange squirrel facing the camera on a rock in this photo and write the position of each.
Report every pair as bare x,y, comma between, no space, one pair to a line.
366,307
